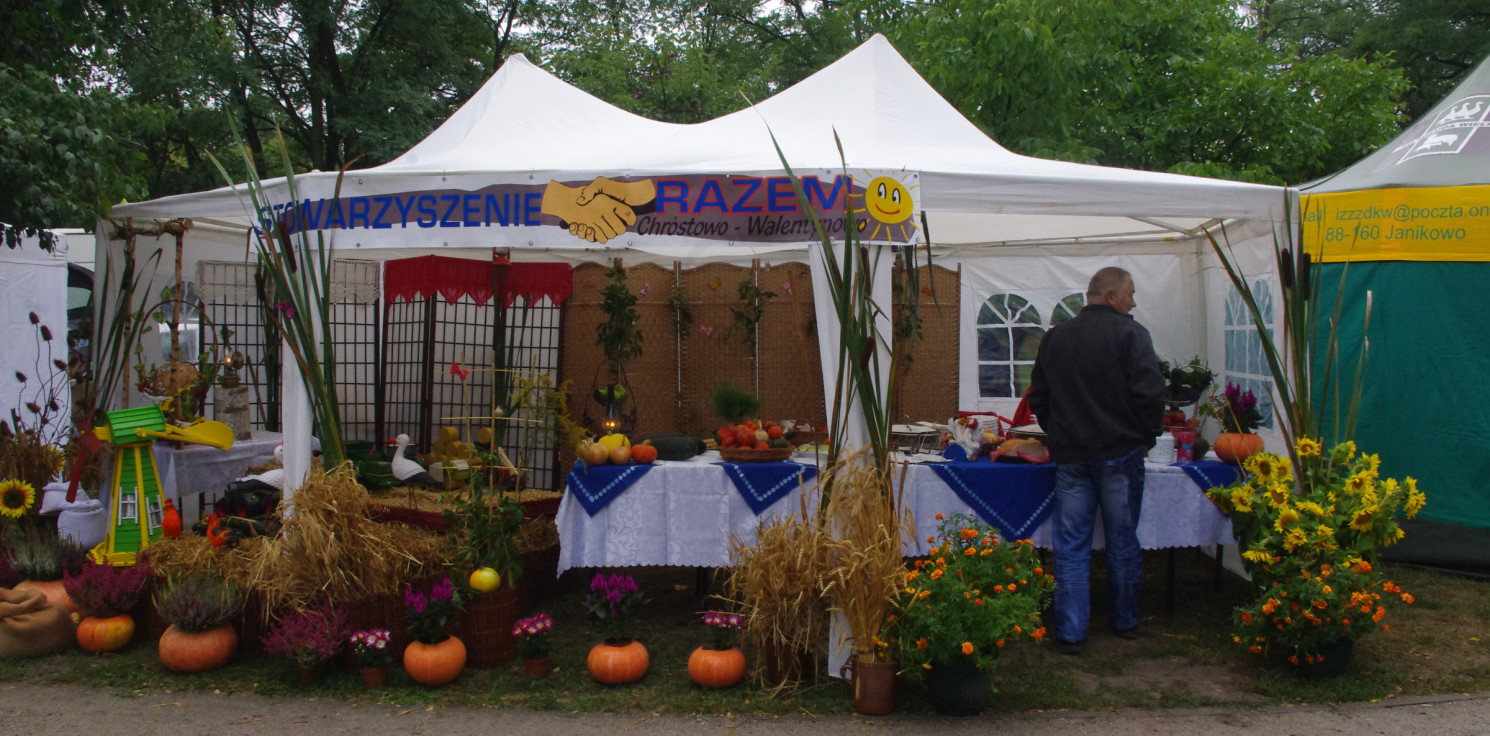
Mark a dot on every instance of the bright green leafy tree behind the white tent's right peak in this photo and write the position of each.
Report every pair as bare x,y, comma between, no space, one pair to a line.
1179,86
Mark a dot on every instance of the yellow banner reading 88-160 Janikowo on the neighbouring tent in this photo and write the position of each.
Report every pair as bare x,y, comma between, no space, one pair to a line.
1410,224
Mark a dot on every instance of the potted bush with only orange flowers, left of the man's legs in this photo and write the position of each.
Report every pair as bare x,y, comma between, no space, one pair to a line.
974,595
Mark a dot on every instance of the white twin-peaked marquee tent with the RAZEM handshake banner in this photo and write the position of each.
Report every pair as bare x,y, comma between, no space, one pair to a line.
488,178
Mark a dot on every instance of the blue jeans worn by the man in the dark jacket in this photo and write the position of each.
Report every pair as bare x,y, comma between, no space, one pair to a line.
1081,489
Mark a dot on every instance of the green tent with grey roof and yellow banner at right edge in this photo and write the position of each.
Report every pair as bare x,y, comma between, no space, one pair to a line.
1412,226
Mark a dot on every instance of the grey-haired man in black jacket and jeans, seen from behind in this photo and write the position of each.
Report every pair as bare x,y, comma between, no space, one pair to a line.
1099,394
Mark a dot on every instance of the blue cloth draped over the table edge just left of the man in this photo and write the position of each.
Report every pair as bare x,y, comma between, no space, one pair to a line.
1017,498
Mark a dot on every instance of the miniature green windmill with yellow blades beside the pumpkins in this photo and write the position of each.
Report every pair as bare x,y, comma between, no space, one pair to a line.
136,483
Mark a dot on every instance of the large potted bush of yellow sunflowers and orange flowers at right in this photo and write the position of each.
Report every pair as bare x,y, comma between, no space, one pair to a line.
1310,548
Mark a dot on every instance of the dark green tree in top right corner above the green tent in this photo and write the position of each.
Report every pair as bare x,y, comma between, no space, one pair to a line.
1434,42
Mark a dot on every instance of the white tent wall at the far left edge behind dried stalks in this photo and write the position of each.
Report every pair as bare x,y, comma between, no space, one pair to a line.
34,282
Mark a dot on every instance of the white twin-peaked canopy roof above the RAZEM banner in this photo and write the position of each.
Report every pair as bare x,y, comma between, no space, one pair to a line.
527,127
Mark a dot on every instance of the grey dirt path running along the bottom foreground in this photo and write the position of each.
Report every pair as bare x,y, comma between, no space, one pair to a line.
75,711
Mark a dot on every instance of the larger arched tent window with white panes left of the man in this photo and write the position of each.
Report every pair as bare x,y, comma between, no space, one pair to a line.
1009,331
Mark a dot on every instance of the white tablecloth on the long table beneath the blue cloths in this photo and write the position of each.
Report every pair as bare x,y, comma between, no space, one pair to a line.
683,513
